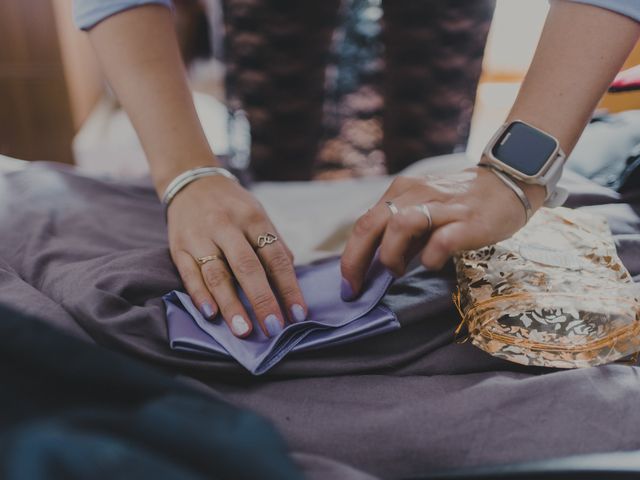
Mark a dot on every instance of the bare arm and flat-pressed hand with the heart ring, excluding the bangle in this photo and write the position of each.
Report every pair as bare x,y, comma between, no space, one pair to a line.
212,217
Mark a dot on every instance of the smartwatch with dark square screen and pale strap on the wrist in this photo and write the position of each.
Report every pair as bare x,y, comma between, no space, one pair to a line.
526,153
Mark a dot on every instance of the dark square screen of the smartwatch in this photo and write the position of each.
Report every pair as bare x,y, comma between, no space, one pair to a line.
524,148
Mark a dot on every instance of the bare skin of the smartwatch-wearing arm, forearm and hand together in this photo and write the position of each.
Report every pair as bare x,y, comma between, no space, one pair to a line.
580,51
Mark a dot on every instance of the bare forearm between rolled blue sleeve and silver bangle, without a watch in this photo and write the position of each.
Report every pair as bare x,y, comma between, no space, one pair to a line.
139,53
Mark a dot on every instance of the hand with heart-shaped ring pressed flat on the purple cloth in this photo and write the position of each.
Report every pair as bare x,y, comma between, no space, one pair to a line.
215,216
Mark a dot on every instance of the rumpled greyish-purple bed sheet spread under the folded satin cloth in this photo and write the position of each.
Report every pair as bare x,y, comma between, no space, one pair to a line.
90,256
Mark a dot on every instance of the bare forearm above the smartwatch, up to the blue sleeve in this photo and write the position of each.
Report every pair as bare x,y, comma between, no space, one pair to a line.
580,51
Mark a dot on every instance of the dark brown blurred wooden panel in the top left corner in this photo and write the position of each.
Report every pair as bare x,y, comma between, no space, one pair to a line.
35,117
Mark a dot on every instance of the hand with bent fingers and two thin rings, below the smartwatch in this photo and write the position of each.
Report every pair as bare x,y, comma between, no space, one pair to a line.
468,209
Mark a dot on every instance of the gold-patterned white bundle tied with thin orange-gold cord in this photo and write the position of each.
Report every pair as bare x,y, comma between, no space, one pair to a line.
554,295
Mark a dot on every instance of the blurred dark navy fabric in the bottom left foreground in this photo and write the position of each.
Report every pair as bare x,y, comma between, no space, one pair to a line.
71,410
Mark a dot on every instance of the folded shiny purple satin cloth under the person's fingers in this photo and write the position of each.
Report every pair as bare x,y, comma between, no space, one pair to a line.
331,321
